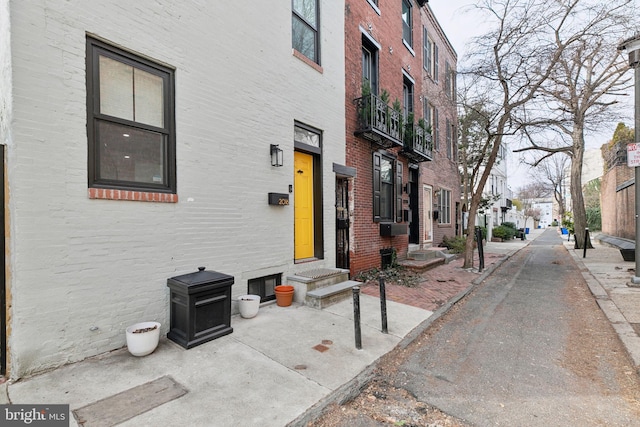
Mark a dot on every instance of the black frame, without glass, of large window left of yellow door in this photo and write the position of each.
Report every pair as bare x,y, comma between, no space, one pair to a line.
96,48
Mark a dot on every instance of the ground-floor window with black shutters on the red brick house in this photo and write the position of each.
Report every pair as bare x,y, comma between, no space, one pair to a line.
395,213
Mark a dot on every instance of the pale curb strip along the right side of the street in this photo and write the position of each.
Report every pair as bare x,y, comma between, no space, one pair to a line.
626,333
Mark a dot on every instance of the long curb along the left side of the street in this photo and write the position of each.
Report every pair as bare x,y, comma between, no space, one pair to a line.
350,390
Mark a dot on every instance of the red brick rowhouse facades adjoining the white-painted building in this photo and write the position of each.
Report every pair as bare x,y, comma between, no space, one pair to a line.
379,30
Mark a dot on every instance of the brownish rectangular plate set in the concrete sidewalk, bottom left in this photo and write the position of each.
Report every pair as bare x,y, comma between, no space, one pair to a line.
123,406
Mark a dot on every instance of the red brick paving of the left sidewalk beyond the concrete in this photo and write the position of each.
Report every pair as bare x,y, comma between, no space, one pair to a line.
440,284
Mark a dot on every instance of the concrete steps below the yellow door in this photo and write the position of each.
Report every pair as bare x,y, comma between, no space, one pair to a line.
322,287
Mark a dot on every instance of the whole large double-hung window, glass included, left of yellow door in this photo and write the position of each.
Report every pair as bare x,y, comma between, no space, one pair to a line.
130,121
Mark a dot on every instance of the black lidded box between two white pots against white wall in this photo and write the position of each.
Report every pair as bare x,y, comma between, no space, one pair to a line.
200,307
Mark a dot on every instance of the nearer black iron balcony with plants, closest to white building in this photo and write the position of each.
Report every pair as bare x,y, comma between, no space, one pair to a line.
377,122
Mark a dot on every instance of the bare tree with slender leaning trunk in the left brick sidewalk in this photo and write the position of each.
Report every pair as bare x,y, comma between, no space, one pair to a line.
510,65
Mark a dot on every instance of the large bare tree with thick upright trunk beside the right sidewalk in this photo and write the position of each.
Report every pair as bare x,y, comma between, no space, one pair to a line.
582,88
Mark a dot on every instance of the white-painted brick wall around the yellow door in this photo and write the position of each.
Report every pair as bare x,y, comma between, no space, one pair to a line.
75,263
